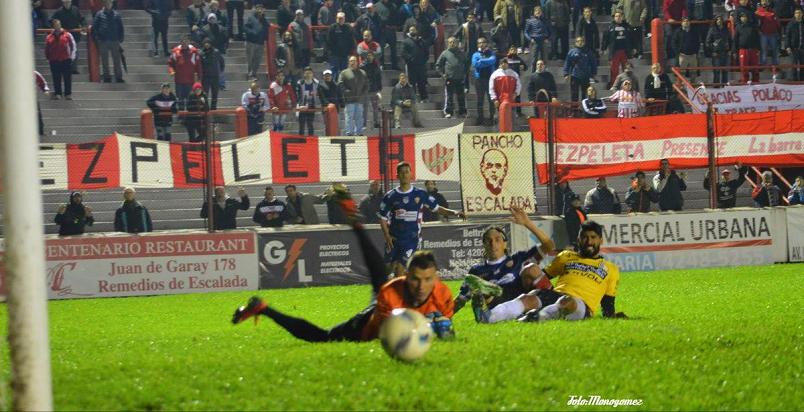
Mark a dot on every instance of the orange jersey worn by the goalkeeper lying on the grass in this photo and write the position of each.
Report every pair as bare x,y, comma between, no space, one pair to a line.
394,295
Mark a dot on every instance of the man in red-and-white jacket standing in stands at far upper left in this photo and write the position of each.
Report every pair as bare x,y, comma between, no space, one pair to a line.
60,52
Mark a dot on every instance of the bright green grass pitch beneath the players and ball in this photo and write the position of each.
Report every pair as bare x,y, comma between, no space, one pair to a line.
714,339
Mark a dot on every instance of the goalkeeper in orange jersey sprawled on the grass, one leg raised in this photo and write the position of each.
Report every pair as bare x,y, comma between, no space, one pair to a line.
420,290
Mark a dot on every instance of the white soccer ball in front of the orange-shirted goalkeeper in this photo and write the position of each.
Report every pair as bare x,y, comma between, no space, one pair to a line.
406,335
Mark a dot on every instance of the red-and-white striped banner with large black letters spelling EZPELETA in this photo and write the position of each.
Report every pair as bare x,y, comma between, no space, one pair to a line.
266,158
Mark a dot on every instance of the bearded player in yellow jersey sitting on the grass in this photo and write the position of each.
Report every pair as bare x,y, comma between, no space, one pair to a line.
585,282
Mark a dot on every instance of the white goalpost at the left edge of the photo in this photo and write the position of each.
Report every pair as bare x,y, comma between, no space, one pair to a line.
24,255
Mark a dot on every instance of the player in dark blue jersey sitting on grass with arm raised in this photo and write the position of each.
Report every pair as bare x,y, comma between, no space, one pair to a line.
509,275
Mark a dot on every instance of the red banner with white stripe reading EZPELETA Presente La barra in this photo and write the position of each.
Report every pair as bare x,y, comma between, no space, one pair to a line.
587,148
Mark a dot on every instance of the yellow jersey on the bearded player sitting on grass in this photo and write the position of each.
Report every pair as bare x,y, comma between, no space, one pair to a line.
585,278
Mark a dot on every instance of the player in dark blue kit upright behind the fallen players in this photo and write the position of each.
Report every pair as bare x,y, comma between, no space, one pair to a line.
401,216
